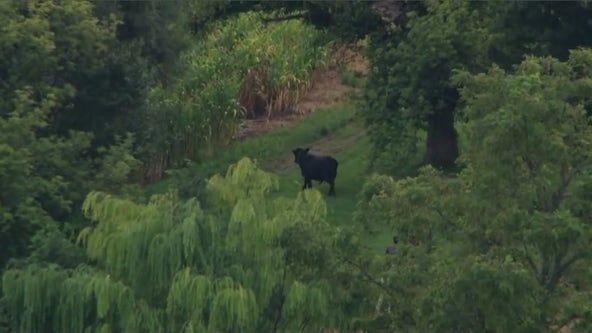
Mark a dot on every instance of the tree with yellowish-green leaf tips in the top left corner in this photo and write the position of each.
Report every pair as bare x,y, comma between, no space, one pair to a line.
62,48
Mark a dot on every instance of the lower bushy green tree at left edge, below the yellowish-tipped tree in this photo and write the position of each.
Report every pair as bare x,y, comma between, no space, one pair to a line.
35,173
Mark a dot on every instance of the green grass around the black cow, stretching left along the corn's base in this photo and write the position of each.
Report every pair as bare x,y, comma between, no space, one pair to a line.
334,131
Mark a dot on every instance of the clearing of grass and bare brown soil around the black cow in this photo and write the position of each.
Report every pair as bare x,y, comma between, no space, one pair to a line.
328,126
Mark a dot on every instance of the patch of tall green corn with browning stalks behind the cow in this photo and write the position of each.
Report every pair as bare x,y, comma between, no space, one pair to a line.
241,69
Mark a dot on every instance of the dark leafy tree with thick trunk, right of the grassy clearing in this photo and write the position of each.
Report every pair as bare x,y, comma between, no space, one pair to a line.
409,81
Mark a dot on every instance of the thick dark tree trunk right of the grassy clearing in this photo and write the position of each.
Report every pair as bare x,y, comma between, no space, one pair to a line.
442,146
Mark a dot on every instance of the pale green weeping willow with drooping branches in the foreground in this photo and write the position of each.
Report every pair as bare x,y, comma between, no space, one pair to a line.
248,262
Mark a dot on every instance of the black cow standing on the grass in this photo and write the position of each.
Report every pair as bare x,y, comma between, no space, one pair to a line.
321,168
